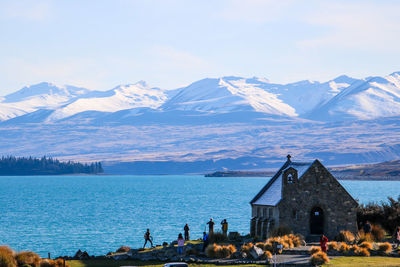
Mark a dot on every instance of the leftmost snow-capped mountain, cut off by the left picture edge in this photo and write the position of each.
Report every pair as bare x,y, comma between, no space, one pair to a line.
35,97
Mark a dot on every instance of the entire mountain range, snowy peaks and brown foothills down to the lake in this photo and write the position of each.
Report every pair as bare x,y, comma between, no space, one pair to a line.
211,124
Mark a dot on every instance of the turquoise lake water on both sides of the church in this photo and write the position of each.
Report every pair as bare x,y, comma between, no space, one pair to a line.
61,214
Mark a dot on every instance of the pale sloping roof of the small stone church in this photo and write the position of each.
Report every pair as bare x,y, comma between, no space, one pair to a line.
271,193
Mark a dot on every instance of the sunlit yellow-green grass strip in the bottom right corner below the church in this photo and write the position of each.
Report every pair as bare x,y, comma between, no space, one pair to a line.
364,262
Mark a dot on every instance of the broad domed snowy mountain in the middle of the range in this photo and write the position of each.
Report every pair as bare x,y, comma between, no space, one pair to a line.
227,94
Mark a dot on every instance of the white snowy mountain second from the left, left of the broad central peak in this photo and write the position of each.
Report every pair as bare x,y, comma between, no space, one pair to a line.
121,97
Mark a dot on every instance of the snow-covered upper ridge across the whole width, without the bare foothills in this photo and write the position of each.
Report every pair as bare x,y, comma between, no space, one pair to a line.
342,98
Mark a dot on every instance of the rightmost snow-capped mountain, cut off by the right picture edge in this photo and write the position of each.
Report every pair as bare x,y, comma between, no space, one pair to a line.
371,98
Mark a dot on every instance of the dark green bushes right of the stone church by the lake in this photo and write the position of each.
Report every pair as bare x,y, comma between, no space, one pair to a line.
386,214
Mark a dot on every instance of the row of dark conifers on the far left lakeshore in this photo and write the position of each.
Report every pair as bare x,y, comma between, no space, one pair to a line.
45,166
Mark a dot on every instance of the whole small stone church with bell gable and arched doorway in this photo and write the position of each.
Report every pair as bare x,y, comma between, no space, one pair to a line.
306,198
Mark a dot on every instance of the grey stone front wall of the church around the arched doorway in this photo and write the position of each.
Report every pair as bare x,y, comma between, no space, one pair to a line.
317,188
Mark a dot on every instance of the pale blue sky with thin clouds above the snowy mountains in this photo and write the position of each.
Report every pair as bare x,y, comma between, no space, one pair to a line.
170,43
